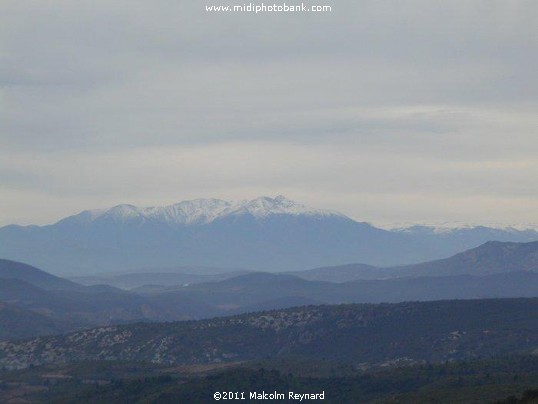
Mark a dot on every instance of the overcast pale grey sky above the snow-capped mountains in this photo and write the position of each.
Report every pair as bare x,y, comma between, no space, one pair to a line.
388,111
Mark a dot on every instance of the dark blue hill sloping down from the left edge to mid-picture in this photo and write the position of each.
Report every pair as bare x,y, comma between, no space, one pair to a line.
71,306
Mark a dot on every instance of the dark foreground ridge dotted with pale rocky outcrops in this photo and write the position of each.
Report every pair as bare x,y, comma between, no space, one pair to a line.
372,334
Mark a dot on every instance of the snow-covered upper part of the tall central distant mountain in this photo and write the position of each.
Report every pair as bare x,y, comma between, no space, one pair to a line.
200,211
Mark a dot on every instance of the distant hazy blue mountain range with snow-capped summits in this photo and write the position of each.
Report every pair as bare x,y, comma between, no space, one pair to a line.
269,234
